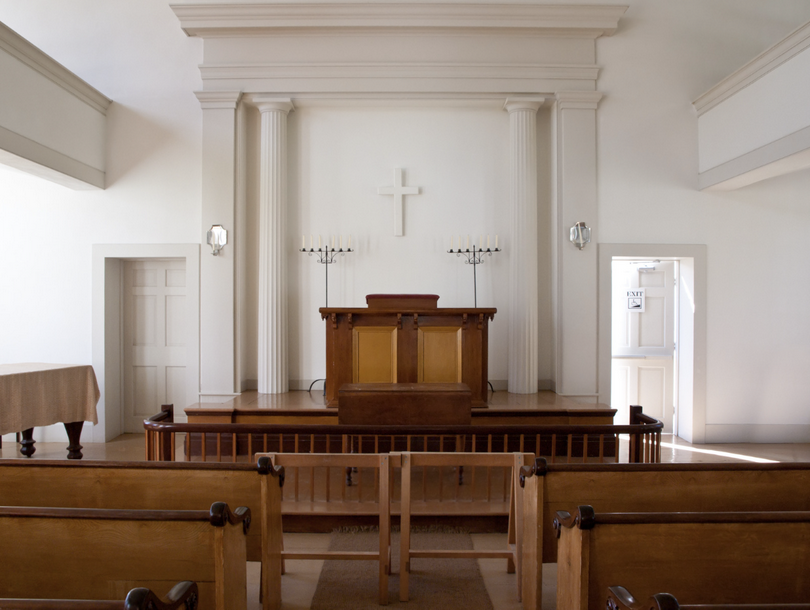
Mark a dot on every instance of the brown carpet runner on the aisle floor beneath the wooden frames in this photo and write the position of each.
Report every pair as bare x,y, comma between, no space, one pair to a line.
436,584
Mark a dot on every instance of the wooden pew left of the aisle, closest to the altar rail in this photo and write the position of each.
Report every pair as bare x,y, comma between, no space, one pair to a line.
134,485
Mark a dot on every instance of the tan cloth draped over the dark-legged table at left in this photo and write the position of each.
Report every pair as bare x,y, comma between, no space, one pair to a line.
36,394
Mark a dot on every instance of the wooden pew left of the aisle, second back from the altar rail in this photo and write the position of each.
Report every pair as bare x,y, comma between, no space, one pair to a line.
101,554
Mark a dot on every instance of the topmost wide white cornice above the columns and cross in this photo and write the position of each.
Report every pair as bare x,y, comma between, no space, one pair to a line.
216,20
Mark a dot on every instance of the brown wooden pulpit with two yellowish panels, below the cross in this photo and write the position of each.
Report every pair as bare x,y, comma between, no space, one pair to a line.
406,338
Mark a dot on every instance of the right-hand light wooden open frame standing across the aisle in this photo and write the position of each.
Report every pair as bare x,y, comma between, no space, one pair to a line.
513,554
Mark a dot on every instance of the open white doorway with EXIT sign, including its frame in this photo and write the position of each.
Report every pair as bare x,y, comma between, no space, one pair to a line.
654,355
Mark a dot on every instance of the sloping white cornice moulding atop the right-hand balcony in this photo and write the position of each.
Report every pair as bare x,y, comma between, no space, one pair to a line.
755,69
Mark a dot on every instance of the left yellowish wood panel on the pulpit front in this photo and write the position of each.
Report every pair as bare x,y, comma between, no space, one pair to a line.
374,350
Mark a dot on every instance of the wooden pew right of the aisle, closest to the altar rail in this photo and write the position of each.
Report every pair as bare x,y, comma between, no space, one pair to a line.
646,488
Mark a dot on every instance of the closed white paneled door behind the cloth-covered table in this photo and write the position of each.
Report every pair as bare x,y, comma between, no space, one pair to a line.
154,338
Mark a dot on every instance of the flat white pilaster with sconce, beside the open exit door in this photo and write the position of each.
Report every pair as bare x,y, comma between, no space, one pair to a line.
576,303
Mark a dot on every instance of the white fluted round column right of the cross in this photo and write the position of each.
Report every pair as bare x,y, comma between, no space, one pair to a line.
523,324
